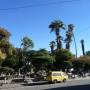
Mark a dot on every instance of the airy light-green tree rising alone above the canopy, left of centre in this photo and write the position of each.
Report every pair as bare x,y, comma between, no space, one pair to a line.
26,45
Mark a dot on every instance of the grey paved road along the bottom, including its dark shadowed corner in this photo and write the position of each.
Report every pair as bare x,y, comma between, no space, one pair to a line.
69,85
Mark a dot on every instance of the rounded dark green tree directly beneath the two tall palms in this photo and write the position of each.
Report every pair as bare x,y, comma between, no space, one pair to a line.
62,57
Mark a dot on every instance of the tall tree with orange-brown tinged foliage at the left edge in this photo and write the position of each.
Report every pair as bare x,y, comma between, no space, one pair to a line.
5,46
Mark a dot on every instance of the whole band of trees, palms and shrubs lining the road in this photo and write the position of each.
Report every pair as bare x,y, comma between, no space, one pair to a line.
26,61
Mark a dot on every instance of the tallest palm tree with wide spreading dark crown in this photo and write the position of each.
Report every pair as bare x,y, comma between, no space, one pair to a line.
55,27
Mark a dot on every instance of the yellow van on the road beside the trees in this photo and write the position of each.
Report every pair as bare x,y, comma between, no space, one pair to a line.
56,76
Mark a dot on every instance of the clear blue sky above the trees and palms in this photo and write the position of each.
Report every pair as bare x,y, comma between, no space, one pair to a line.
34,20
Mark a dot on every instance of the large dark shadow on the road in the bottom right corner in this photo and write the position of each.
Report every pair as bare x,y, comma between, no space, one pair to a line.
79,87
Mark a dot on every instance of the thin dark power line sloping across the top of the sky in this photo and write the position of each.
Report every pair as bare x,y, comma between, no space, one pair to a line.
38,5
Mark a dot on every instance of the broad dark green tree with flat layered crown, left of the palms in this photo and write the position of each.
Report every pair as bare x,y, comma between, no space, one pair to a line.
41,59
